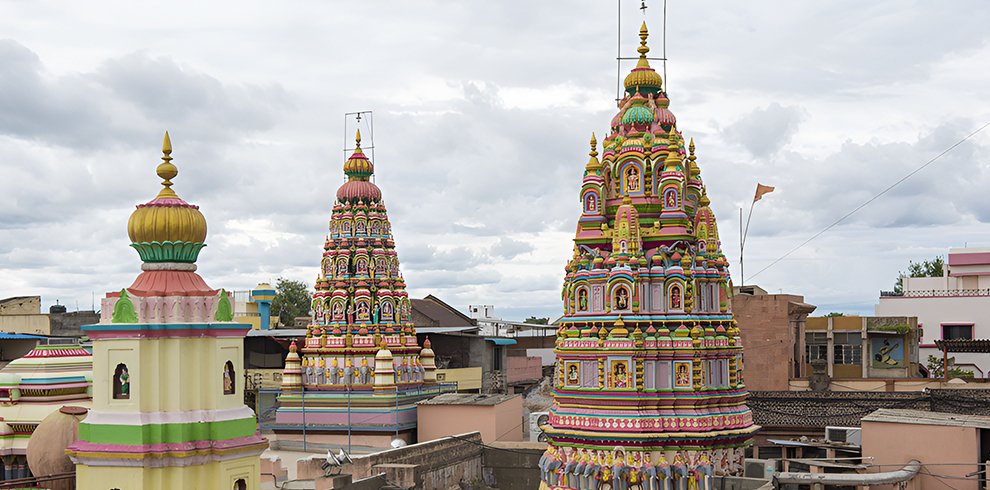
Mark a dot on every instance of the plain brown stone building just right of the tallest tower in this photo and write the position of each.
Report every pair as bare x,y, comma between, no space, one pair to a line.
772,327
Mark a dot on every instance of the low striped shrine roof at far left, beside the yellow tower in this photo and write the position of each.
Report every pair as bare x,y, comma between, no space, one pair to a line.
33,387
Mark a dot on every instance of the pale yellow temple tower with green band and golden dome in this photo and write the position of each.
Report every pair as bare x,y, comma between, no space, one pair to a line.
168,407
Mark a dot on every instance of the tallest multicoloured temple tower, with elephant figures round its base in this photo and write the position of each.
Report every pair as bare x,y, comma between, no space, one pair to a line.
649,389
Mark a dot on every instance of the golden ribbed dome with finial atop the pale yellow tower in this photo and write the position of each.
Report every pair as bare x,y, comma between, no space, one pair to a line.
167,220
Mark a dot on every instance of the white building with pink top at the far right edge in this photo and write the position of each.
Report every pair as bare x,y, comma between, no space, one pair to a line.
954,306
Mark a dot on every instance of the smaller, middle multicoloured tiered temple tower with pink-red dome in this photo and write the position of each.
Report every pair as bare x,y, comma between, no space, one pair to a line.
361,371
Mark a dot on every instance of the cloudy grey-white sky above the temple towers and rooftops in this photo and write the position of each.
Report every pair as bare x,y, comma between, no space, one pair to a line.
482,115
